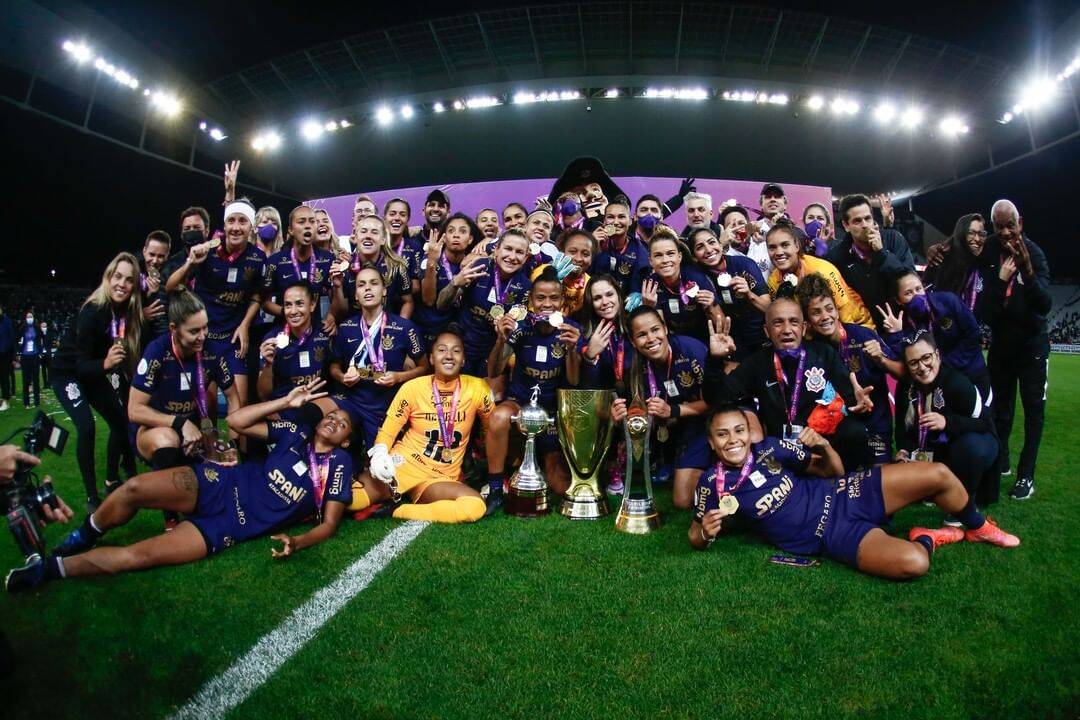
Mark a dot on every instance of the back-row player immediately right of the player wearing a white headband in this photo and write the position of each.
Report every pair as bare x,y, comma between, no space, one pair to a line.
302,262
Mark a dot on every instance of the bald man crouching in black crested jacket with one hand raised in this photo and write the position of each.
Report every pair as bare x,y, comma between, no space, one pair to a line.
790,382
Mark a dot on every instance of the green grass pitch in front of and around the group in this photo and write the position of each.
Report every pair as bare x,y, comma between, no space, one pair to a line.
549,618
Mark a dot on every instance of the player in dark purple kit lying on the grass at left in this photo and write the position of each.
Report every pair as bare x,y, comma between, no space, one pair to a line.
308,474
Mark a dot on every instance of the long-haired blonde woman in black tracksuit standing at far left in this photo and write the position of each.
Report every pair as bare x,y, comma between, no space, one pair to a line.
91,370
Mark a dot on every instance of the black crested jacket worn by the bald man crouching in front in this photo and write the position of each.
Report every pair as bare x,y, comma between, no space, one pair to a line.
757,378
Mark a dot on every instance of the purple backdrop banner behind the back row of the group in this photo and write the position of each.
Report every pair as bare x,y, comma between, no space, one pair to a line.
471,198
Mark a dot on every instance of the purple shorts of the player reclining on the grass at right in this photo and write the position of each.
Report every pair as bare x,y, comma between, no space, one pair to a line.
858,507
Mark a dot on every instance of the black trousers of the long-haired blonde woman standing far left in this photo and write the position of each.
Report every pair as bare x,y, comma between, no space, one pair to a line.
80,400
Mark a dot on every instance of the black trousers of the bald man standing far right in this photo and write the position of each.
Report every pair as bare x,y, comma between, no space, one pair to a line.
1029,370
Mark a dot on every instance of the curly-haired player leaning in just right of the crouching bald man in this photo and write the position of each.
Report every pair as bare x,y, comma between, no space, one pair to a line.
861,351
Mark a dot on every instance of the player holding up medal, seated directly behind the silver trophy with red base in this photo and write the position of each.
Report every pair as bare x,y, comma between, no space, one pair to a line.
545,351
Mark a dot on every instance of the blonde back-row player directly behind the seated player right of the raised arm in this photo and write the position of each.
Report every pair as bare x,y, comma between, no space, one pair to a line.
374,250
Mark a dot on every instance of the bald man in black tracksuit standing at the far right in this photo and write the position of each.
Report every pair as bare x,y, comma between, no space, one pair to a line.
1020,348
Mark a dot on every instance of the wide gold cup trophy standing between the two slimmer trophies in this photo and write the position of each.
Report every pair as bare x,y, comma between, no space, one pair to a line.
585,432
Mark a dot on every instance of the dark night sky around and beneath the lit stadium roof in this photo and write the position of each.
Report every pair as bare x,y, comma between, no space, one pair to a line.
89,199
